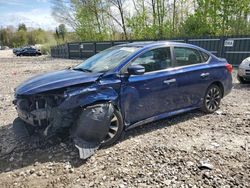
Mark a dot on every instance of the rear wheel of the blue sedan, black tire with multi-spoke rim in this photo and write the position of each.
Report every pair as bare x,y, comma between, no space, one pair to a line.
212,99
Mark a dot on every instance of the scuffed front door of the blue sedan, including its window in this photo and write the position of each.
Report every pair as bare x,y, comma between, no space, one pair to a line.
150,94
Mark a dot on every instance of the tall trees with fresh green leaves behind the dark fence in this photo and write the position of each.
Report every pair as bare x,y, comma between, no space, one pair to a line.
153,19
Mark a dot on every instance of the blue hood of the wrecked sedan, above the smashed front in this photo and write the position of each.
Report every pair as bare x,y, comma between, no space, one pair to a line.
55,80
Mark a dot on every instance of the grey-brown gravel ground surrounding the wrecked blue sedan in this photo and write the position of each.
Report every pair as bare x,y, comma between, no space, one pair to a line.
190,150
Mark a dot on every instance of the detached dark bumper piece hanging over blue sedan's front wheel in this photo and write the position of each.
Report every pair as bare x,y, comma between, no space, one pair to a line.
91,128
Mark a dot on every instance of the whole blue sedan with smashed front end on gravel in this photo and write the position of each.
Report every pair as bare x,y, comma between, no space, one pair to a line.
120,88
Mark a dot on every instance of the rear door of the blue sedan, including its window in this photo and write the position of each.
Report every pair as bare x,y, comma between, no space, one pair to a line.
192,74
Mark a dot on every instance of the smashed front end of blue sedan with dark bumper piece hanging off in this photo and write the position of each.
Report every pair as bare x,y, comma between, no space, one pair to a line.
87,126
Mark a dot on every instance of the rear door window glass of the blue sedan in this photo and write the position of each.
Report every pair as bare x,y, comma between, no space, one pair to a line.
187,56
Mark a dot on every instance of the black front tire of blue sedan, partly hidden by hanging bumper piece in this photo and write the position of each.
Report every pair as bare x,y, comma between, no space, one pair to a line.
117,135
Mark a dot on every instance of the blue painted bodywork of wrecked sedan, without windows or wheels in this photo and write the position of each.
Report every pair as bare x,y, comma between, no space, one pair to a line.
140,98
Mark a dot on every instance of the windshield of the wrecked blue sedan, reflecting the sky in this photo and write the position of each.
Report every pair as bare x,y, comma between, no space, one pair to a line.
106,60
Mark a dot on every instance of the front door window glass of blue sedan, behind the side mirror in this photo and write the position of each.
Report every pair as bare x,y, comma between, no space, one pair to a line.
154,60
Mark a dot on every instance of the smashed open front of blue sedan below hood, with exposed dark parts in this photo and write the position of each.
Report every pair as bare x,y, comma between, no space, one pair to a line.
43,113
